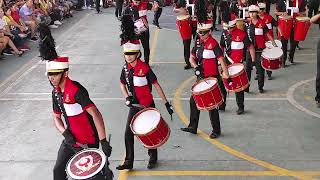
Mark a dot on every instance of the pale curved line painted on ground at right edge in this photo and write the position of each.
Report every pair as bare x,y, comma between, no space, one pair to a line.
292,101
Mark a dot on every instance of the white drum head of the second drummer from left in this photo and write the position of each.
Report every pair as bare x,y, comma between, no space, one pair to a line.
146,121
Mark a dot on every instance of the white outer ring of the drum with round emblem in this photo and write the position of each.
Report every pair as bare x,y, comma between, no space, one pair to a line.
104,159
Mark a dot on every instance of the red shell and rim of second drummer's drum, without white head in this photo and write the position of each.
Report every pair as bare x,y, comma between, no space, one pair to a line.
156,137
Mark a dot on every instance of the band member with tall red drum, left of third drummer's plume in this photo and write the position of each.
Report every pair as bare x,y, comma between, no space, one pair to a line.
185,28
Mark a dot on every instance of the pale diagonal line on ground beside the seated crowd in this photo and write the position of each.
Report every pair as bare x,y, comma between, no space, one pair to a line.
27,68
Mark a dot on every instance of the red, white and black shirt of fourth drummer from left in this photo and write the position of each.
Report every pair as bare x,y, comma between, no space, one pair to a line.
235,43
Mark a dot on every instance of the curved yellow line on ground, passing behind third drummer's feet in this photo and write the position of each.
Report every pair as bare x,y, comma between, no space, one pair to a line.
184,119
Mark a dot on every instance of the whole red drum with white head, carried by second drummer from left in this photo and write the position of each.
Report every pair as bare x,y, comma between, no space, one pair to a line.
150,128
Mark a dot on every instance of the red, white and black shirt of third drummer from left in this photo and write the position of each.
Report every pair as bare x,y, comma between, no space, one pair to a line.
207,54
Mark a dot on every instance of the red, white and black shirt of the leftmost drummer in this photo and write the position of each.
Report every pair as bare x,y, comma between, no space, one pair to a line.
76,101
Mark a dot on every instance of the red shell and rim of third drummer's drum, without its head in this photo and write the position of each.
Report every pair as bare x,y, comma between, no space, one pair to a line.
208,99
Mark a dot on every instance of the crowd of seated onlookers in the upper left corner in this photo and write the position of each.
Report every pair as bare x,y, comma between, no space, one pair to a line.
19,20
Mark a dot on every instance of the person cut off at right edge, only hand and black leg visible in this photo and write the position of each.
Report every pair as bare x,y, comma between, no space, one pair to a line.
316,19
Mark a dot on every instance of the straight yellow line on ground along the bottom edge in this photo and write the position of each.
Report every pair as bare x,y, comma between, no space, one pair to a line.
216,173
